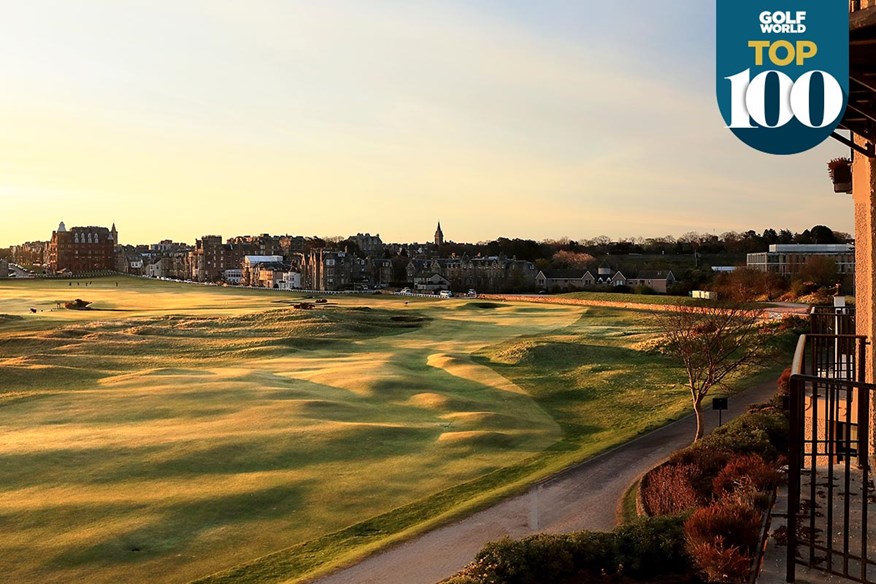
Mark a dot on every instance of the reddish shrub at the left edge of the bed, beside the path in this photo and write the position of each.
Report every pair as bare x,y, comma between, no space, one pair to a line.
669,489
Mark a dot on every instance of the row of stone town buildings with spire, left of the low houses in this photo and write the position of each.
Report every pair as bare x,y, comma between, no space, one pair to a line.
284,262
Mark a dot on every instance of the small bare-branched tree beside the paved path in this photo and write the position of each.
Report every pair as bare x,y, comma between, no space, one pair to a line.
713,342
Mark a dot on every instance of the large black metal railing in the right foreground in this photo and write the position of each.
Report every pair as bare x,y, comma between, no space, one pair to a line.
828,473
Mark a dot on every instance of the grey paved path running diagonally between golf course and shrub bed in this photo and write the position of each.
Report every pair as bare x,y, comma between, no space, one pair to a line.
583,497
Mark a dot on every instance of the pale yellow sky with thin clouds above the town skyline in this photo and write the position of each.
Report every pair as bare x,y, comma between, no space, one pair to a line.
513,118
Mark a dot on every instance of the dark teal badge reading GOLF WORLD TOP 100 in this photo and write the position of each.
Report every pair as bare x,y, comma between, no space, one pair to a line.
782,71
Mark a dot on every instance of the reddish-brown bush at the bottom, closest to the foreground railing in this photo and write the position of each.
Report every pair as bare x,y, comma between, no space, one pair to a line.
721,539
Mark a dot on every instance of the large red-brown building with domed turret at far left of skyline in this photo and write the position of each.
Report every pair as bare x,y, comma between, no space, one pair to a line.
82,249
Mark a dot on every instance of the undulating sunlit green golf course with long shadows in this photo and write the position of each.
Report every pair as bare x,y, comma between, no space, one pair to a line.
176,432
